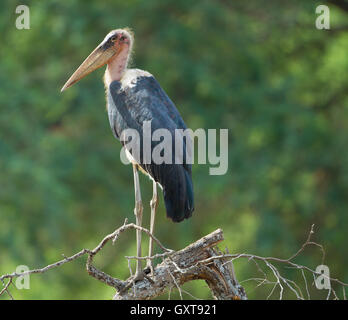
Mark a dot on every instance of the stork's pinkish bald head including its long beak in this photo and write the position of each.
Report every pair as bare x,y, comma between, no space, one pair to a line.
114,44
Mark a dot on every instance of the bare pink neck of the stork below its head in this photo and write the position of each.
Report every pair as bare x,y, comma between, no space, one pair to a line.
116,67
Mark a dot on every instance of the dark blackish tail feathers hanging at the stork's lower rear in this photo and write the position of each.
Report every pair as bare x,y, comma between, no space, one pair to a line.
178,194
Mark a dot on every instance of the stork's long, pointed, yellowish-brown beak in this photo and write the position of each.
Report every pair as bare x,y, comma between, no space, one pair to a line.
99,57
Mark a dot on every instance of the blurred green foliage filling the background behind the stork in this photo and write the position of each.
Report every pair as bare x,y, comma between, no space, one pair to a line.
259,68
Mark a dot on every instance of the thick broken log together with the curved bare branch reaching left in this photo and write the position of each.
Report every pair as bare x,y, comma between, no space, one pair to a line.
178,268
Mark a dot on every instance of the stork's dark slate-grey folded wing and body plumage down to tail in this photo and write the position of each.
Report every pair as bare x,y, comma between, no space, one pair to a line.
145,100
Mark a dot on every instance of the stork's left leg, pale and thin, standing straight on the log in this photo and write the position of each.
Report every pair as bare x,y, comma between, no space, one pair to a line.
138,211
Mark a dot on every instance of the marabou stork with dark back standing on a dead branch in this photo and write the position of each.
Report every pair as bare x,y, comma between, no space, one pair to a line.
135,96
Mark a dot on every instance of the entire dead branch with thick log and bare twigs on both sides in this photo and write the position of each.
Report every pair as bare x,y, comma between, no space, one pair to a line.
200,260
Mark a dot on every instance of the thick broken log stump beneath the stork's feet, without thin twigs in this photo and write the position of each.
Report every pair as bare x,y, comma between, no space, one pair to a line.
186,265
